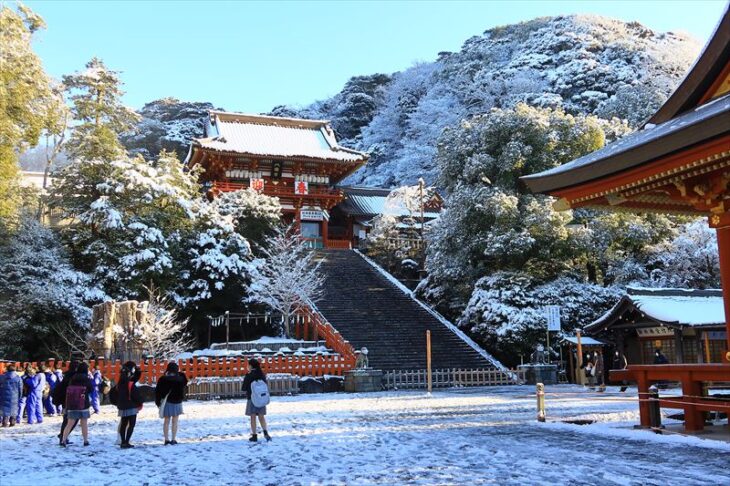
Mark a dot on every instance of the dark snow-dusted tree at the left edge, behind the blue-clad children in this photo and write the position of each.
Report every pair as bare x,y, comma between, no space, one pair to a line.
40,292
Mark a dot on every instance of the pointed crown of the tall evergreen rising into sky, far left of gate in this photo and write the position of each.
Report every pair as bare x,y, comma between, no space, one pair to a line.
97,107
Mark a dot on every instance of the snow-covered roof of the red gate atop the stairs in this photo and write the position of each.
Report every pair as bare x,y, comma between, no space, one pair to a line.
270,136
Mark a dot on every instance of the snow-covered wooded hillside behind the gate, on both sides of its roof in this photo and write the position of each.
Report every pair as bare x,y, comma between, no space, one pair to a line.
586,64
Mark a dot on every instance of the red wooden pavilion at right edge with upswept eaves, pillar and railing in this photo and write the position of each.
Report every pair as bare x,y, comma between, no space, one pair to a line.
679,162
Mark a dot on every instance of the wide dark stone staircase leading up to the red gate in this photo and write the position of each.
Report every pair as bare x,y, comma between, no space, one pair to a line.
370,310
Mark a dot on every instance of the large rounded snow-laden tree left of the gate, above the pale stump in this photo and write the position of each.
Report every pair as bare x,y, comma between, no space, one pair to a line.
126,218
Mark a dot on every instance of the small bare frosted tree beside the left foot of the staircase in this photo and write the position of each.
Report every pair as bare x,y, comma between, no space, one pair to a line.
288,278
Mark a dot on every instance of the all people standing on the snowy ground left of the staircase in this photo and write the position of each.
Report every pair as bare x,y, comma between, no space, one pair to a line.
78,390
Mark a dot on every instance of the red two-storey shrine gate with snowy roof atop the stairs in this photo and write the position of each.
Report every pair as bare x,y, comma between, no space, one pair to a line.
298,161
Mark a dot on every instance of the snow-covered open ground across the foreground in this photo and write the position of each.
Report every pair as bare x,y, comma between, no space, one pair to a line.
464,436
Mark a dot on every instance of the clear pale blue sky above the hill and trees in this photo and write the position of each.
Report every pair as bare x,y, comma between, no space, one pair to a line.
251,56
